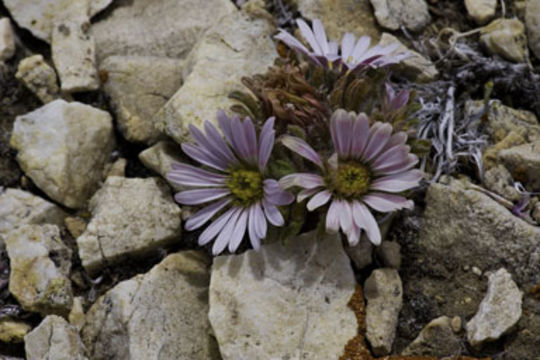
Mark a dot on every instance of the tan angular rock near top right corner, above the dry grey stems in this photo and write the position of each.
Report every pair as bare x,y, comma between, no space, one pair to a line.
506,38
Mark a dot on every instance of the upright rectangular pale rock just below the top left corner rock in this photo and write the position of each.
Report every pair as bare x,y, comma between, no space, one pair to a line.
73,54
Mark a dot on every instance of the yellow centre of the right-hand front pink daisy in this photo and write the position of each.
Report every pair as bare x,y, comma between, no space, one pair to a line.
352,180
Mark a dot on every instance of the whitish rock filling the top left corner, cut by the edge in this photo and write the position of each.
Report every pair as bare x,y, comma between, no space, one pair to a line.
38,16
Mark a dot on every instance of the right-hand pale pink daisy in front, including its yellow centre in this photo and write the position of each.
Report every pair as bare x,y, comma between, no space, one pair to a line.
369,167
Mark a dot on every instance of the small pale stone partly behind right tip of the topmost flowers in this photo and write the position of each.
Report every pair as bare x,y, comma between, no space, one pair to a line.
416,67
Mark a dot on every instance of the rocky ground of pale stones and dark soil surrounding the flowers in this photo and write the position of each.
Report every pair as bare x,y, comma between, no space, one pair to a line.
94,264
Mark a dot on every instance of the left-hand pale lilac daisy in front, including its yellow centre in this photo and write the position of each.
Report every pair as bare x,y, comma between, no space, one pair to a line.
236,182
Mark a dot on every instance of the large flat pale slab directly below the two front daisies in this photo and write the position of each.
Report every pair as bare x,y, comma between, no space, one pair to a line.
284,301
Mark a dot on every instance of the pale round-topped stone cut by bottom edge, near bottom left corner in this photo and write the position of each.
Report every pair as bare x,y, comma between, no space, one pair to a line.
54,339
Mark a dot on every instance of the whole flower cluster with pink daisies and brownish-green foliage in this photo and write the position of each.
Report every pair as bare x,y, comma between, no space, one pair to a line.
354,120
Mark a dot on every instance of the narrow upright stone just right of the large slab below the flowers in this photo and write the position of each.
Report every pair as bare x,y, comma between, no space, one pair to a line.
384,295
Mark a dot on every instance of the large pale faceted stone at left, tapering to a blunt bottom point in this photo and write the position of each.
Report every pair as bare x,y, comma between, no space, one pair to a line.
63,148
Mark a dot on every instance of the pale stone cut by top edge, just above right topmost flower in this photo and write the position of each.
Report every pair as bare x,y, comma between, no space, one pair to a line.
392,14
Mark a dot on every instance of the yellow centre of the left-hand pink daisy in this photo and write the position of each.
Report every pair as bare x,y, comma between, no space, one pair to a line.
246,186
